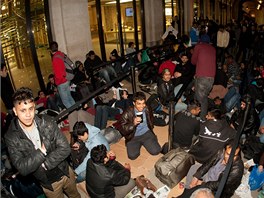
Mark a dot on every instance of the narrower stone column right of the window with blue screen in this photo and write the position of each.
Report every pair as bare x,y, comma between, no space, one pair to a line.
153,22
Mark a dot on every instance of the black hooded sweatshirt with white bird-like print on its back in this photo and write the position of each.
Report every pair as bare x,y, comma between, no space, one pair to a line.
213,135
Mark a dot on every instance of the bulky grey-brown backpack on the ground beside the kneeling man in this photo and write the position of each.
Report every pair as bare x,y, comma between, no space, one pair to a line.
171,168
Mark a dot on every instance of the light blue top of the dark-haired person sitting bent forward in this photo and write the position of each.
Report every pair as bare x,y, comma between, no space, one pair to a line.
95,138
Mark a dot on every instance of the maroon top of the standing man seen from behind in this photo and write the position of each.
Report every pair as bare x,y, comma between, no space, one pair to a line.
204,57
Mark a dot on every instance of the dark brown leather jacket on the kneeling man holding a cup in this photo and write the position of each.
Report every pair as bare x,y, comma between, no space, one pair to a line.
126,122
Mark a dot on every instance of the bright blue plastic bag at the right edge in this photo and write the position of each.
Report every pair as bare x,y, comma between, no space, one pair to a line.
256,178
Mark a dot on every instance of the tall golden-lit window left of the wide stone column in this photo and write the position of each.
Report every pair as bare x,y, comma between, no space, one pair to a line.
16,45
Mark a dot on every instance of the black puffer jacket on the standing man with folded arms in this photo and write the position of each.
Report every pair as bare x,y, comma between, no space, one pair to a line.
27,160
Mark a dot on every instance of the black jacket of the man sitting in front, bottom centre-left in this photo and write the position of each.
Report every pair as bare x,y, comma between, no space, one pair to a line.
102,178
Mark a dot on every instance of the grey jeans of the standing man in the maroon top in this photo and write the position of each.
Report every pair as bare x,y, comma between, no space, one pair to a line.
203,86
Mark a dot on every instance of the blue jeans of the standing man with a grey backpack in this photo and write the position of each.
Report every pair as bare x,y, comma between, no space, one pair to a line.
65,94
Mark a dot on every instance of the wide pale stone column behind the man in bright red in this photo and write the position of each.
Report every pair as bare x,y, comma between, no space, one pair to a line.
70,26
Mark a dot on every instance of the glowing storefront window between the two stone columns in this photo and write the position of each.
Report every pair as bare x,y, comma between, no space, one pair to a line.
110,25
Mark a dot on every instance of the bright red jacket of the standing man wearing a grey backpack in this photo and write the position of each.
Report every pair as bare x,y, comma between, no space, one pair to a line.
59,68
